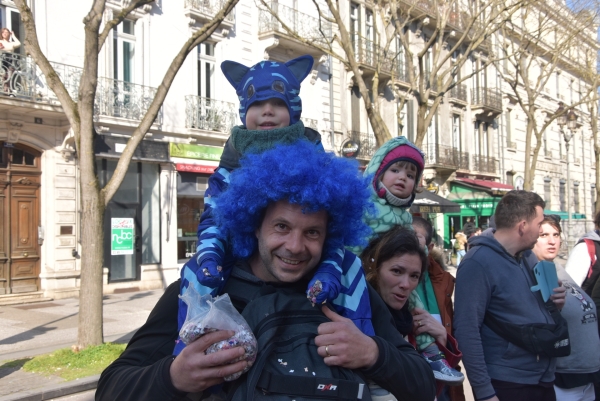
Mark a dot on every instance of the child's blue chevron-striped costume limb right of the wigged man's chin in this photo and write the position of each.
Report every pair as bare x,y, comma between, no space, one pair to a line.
340,279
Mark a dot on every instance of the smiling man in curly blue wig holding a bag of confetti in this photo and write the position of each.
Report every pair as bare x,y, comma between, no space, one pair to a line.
284,210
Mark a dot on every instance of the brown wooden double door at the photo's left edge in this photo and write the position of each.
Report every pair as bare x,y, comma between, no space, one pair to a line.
19,219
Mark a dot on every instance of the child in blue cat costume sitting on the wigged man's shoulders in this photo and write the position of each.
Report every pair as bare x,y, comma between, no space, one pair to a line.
270,109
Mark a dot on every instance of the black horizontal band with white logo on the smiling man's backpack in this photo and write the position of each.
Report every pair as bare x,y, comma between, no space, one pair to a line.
328,388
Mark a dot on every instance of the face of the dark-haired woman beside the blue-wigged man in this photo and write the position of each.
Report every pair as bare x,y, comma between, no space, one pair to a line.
398,277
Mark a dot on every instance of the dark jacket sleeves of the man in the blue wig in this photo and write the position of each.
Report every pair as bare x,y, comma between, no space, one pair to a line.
142,371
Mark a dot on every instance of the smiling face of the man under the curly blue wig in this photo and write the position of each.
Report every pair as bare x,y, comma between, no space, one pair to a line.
290,243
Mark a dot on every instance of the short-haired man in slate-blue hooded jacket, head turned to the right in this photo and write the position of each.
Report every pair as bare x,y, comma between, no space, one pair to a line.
494,278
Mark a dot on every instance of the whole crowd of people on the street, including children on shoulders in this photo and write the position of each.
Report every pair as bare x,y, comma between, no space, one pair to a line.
344,289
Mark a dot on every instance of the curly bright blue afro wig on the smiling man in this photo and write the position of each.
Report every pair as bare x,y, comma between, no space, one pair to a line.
303,175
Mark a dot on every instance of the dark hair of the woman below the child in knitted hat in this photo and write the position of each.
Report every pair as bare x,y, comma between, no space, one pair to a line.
396,242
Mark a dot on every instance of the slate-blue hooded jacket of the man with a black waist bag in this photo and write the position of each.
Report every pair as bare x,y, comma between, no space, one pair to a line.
490,280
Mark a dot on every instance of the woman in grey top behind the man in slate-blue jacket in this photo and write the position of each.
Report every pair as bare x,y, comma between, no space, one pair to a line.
576,373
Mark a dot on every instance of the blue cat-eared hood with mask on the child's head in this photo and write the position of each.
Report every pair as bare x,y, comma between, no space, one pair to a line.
267,80
